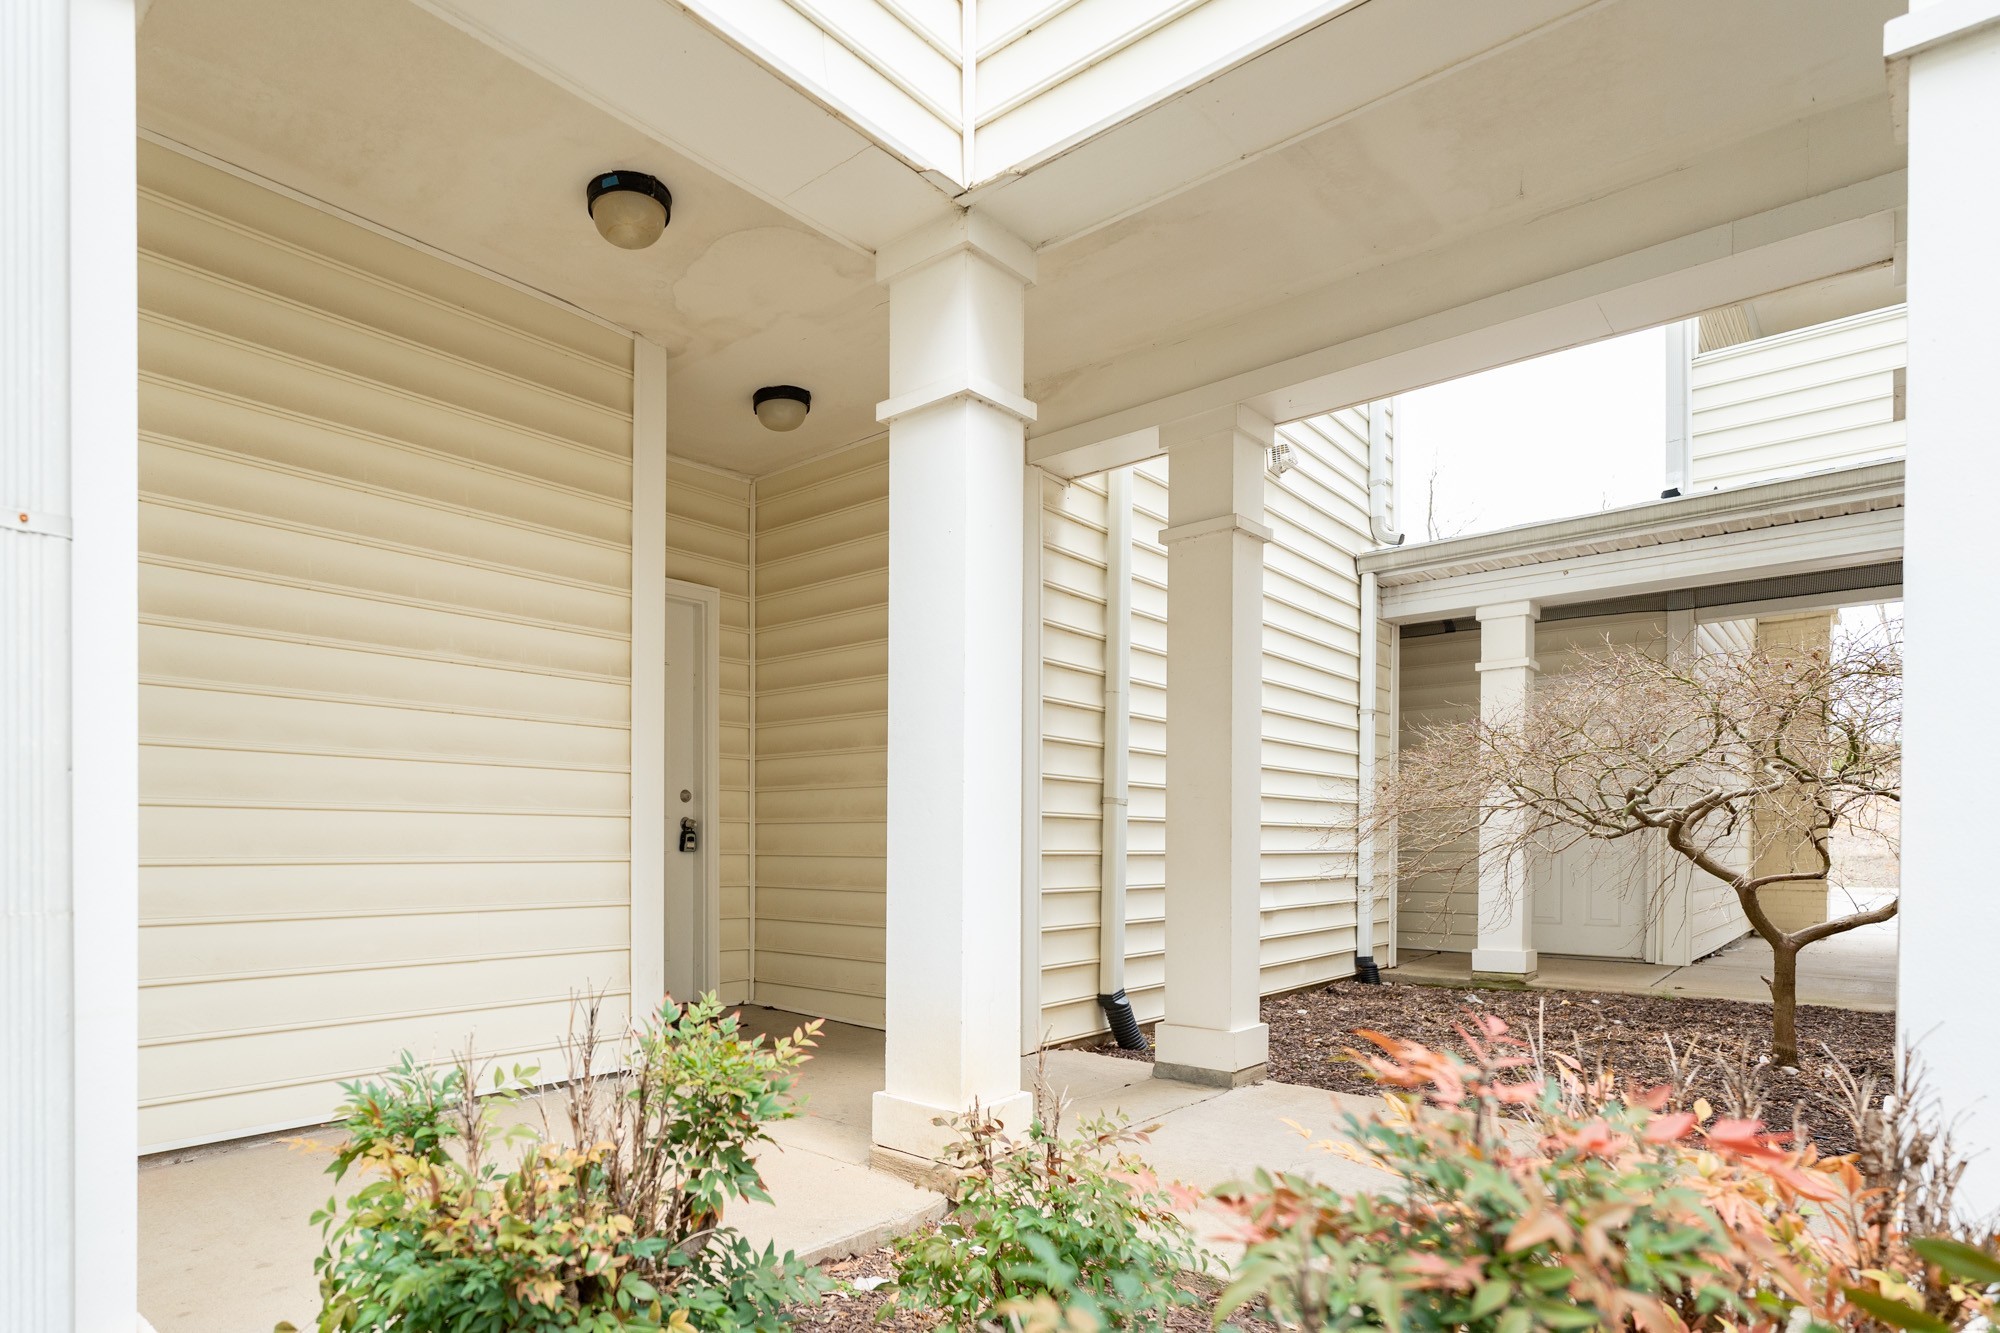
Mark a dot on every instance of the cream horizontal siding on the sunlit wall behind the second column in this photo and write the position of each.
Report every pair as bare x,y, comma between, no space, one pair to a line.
1311,728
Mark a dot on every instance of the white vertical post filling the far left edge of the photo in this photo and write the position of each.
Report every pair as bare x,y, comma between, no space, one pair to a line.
69,665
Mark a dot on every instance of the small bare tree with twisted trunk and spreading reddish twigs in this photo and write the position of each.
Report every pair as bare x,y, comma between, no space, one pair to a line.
1683,748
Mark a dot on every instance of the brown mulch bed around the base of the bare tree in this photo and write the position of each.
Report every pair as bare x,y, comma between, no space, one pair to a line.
1313,1030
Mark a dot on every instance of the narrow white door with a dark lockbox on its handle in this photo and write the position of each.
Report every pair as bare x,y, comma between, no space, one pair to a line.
693,882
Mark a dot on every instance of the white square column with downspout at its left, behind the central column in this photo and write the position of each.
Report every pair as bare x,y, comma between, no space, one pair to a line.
1215,734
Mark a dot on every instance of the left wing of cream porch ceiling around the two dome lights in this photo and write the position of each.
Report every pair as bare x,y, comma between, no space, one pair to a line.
389,113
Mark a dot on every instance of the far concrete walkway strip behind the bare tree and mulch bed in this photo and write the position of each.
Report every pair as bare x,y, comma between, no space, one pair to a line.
1847,972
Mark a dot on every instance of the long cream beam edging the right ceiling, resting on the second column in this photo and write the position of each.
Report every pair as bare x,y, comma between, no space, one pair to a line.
1841,231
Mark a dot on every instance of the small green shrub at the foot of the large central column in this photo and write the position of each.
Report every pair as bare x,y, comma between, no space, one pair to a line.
1055,1222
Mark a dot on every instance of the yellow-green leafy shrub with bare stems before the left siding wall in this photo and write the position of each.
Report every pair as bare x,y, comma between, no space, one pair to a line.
617,1230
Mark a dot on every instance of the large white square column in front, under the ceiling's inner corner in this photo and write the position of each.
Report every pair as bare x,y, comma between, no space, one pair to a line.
957,473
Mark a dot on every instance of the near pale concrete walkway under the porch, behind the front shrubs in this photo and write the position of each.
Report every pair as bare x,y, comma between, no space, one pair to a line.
225,1244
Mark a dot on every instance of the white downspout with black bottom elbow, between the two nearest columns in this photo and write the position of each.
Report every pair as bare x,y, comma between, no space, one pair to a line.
1117,728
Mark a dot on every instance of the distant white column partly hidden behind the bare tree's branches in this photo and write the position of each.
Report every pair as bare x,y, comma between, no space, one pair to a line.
1507,912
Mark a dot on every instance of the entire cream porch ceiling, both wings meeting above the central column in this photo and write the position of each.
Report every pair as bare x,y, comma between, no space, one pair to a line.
1401,157
